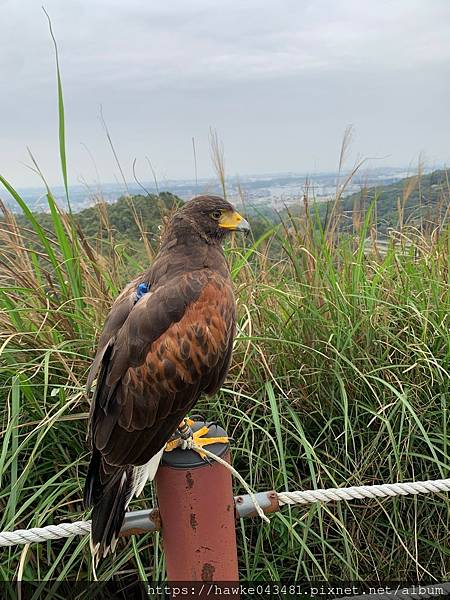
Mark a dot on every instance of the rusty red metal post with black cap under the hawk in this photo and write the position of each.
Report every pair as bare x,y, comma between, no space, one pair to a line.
197,515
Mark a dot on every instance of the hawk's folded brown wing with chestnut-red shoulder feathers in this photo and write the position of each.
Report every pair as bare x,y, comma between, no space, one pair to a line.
175,344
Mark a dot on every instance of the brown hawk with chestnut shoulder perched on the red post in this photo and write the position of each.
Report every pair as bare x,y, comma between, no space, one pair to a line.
167,339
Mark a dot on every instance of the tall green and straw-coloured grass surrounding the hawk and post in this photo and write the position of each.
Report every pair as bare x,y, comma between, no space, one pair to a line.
339,378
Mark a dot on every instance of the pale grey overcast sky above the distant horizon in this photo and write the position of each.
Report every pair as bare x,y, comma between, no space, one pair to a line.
279,80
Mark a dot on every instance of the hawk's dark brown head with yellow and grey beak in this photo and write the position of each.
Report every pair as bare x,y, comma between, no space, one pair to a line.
211,217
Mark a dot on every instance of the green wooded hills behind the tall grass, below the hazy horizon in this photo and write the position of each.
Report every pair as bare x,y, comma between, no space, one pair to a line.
422,200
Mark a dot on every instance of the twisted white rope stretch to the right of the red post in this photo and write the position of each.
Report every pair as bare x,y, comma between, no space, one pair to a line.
364,491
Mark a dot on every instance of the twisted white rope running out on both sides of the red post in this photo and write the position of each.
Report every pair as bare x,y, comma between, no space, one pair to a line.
53,532
